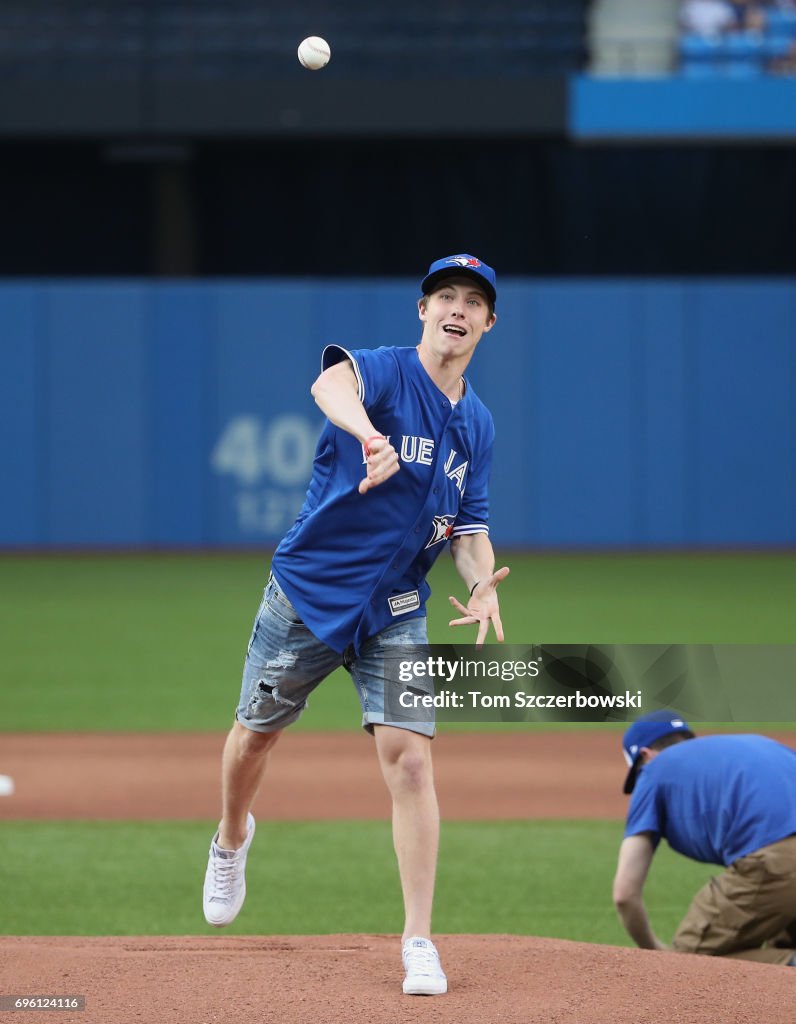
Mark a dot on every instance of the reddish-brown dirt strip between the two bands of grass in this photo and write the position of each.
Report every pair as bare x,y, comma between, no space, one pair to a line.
312,777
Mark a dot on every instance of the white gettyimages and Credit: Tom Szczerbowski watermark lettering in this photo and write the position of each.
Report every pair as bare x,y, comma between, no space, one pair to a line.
439,669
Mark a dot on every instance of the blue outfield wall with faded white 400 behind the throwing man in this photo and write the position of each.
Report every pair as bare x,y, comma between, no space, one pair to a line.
627,414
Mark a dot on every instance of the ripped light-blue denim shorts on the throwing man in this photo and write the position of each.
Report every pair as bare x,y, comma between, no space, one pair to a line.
285,663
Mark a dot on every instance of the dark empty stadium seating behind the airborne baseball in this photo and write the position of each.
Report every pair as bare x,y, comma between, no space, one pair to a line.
203,39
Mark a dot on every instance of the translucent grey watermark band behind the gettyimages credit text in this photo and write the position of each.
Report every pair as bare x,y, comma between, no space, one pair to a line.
591,684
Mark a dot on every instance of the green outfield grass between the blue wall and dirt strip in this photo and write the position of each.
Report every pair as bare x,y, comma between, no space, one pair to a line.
156,643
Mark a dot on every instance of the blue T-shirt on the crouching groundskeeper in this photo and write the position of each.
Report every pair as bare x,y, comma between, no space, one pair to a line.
718,798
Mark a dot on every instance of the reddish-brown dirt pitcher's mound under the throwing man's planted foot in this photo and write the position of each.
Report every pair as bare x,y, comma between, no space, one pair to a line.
356,979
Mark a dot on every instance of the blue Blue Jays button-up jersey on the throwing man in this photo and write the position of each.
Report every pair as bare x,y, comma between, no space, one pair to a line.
353,565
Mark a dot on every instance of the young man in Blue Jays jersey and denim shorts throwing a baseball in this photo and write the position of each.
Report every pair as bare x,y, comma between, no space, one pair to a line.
402,467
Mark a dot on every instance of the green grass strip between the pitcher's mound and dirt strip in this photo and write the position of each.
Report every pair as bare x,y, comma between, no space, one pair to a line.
536,878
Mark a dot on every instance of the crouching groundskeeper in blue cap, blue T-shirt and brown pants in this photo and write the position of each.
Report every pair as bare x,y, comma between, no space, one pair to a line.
728,800
